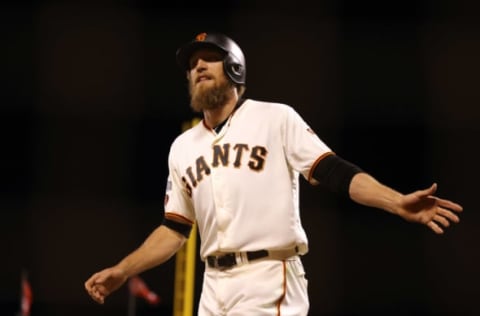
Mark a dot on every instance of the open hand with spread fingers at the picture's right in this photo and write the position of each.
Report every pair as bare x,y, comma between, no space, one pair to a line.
423,207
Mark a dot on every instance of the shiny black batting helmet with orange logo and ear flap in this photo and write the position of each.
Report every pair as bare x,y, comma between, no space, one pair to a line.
233,63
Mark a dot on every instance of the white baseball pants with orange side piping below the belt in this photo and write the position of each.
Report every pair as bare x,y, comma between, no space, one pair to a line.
259,288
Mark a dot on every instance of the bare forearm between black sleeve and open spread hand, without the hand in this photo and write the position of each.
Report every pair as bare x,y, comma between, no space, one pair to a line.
366,190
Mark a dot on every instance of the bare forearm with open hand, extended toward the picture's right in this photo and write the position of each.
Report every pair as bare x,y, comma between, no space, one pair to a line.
420,206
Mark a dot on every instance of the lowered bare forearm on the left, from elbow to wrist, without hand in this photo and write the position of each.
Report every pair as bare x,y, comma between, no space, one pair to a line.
160,246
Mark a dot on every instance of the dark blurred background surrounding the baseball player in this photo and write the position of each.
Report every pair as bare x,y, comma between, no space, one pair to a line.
91,99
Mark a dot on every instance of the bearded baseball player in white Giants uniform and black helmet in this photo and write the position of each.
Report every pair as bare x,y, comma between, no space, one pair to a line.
236,174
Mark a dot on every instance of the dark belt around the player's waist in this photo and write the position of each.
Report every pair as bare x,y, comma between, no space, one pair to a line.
228,260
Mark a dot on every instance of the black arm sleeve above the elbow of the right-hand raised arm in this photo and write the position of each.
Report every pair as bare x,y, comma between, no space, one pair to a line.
335,174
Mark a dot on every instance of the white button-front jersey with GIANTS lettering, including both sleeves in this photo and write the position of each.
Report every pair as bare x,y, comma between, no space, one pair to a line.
241,186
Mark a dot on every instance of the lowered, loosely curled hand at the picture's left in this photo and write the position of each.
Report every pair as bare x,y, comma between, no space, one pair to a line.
103,283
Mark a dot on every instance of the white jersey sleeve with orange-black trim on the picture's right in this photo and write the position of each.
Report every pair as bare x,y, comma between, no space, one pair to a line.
303,148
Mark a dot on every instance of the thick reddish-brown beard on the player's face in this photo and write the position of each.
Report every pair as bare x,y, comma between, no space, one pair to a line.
210,98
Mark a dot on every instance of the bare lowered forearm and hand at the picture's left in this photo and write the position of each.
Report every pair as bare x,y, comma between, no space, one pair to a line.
162,244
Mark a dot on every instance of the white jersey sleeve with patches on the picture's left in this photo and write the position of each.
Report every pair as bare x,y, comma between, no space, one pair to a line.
178,203
